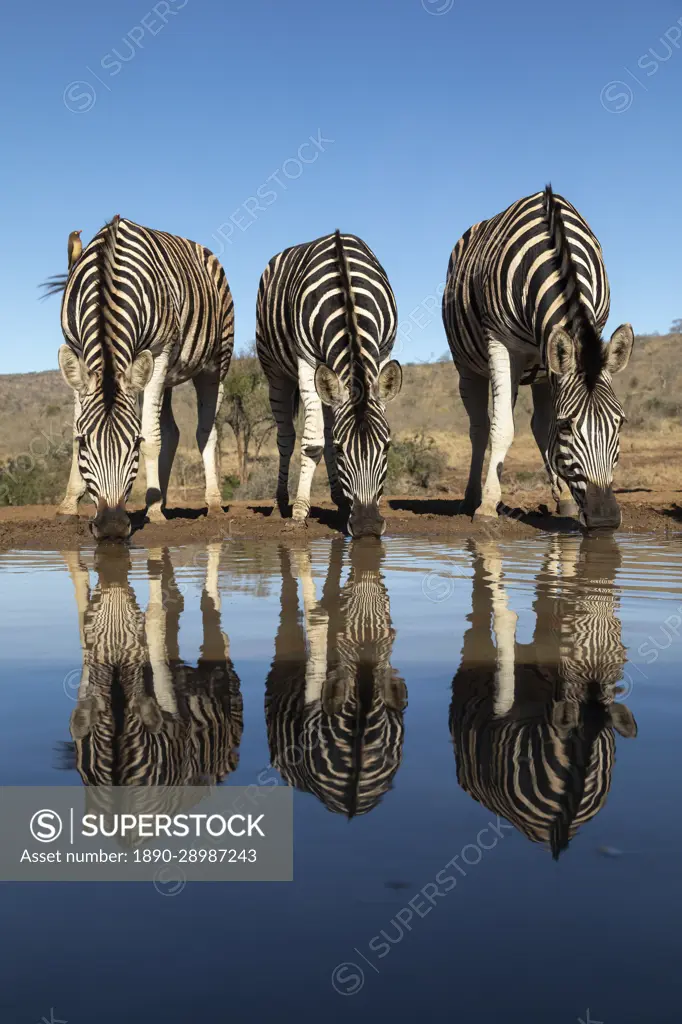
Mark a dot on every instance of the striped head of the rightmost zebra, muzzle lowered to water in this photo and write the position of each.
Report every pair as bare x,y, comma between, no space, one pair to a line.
584,444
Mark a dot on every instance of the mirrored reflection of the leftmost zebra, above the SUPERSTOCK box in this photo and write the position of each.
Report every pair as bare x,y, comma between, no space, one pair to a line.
143,716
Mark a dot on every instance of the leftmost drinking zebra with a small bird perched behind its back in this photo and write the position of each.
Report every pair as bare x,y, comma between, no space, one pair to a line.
143,312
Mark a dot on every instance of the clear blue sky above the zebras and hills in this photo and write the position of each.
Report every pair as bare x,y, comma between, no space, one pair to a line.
441,114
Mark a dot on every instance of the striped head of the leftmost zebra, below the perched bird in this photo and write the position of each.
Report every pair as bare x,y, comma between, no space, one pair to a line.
108,434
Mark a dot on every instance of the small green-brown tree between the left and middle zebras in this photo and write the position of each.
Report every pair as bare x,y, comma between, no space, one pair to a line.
247,409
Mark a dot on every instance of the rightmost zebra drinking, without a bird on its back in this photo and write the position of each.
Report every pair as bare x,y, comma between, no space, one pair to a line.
527,298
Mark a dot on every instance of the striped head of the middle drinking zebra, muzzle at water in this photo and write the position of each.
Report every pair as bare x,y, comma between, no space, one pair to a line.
362,440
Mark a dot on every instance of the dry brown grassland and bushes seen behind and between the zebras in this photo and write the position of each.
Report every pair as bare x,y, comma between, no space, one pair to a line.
431,433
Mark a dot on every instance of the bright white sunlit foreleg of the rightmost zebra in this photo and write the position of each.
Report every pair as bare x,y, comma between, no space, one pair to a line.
505,385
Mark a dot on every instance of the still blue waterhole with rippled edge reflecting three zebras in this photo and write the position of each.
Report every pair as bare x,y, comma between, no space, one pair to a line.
528,682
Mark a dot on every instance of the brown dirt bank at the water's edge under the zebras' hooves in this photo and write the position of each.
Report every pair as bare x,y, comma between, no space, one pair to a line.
34,527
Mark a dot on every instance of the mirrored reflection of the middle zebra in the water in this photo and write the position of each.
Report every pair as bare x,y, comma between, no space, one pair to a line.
334,708
